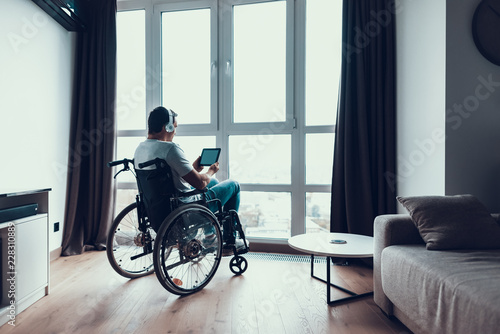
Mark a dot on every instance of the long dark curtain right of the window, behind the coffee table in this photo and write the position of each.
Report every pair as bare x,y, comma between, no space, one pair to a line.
363,183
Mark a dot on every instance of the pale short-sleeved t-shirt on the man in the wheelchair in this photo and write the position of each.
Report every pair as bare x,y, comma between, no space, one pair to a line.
174,156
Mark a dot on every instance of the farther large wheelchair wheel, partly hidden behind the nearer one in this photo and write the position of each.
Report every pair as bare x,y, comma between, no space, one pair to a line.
125,241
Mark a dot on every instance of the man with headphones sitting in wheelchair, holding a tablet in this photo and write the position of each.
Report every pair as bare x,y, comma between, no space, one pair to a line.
162,124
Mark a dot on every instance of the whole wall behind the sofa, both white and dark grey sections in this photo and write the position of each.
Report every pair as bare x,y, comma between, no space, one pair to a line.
446,86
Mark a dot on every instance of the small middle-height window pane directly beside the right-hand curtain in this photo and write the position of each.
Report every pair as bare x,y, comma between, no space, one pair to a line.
319,158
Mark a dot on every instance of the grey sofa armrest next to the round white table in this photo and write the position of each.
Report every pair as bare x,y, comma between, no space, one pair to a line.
397,229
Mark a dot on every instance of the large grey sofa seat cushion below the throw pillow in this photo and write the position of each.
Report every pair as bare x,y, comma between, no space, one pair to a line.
444,291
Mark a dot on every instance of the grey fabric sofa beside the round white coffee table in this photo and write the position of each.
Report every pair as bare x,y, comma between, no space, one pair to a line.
451,290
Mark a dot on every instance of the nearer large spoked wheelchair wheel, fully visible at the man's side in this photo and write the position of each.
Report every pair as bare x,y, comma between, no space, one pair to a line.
184,260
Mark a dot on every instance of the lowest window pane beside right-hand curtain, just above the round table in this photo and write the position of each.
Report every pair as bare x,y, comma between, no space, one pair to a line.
318,212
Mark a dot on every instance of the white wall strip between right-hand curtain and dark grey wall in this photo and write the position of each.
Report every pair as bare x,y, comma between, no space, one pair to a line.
421,84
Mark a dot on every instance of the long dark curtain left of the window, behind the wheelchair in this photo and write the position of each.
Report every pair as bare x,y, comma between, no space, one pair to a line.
89,195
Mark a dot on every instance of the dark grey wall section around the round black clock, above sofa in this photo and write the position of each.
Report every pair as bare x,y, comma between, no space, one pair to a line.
473,105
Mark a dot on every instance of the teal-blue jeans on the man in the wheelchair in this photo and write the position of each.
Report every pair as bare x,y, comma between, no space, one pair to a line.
228,192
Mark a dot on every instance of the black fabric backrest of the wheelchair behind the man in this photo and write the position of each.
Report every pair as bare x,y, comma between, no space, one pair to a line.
156,188
